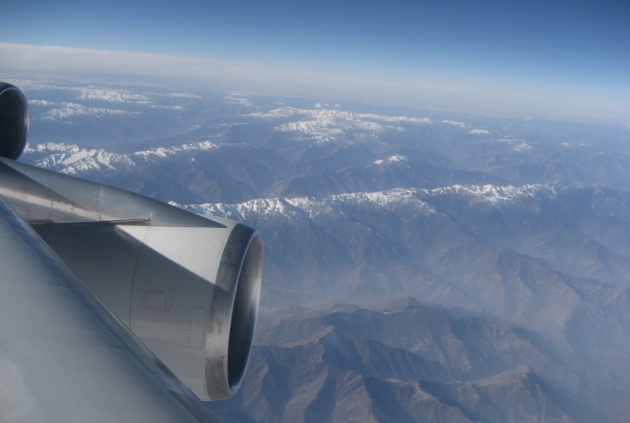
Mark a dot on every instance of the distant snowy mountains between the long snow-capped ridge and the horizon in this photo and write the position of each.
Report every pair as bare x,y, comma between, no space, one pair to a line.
270,148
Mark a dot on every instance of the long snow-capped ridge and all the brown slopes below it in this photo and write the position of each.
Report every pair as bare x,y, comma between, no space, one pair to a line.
549,265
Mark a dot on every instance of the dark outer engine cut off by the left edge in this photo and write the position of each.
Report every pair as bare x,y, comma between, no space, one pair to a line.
13,121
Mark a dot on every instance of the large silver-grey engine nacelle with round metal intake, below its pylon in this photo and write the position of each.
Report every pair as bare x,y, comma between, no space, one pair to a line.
189,293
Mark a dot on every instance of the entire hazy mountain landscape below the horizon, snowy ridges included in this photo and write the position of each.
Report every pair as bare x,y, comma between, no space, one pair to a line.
419,265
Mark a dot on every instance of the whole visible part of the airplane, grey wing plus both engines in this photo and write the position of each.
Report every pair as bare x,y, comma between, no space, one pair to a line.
113,306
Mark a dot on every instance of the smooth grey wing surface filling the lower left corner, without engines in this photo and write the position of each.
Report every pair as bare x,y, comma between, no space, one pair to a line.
63,358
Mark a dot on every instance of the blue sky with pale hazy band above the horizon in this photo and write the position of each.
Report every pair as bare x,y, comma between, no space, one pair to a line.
547,57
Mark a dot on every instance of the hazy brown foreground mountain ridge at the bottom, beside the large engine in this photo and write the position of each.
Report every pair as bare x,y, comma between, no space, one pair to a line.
405,362
